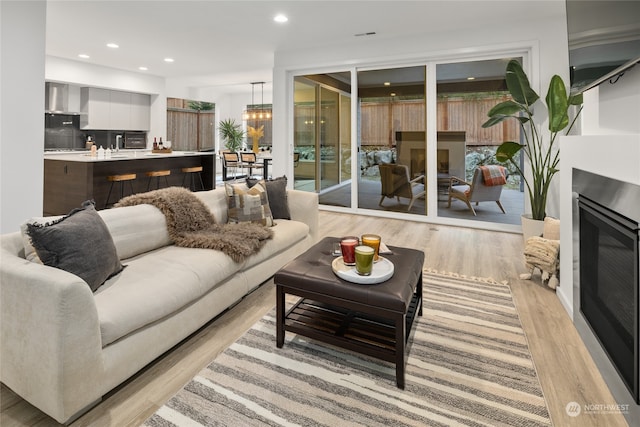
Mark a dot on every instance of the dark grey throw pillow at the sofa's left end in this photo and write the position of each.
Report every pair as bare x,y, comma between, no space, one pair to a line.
79,243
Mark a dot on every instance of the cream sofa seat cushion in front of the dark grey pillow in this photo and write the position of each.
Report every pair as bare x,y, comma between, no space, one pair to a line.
156,285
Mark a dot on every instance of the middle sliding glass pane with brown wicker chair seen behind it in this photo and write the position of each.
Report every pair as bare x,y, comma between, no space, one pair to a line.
392,131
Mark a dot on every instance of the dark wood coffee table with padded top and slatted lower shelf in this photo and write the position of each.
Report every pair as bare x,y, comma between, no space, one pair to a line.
374,320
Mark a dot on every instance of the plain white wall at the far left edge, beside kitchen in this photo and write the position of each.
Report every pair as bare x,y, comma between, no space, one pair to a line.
22,48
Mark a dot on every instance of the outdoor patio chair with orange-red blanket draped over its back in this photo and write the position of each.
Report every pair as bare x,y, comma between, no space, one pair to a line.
486,186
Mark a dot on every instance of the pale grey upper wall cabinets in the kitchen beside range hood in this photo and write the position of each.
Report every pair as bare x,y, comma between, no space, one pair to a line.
114,110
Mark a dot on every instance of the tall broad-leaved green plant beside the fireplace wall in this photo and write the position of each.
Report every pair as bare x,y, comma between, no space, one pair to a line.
541,152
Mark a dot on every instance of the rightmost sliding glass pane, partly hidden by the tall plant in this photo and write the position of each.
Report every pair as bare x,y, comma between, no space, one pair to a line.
466,91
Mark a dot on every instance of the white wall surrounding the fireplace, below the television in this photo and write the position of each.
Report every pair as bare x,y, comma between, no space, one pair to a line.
609,146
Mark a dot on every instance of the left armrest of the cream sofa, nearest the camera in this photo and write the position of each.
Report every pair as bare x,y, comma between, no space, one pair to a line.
50,345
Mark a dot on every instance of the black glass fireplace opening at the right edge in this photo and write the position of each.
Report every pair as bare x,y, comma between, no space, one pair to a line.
608,253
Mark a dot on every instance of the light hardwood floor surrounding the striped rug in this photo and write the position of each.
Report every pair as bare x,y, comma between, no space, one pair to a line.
567,372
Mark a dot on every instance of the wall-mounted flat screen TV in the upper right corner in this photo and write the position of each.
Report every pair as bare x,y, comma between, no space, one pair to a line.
604,40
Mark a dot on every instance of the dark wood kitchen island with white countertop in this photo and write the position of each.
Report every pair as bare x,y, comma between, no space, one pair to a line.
70,178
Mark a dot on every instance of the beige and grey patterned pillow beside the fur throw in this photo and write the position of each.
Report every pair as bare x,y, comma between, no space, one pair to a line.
246,204
